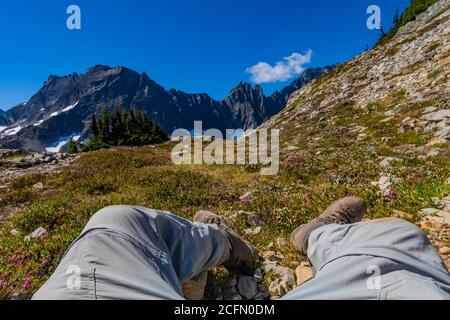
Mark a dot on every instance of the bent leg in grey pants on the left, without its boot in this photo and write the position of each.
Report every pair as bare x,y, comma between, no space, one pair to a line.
129,252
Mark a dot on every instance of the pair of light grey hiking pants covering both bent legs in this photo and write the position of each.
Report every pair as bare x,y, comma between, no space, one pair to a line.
129,252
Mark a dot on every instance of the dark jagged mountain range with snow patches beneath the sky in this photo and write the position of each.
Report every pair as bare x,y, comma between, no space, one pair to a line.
63,106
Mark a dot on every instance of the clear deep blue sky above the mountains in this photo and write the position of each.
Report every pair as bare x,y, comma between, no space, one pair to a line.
191,45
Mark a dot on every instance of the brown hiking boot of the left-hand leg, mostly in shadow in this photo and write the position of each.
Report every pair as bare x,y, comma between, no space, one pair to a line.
242,254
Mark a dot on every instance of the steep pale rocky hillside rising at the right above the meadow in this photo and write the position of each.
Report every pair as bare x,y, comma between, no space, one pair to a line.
407,75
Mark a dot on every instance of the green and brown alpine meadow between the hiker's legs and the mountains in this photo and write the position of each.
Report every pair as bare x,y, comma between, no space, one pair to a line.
307,182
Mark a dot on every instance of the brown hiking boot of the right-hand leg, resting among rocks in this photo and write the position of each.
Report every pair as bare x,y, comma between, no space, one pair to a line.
343,211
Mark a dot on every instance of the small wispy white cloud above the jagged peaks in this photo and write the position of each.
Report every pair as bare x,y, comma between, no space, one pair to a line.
291,66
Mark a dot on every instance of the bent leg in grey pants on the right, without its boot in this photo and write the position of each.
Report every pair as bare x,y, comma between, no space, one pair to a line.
379,259
